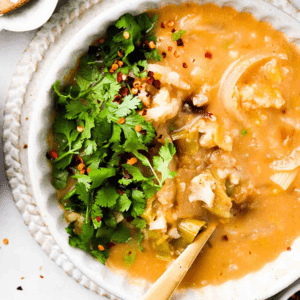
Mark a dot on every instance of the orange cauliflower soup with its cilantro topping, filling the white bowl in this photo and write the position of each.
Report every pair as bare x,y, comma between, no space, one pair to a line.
225,97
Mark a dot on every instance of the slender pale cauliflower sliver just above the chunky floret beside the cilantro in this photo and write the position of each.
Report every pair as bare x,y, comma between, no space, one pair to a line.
166,75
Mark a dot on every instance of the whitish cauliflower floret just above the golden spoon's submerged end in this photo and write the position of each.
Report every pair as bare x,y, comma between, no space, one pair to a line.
201,189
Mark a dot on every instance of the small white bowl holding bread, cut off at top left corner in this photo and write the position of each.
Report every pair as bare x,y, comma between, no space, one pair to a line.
29,16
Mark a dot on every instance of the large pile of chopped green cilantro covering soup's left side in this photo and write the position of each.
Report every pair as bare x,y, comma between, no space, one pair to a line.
95,129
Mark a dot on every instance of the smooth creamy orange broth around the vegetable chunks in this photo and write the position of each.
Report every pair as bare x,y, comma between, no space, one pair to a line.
269,222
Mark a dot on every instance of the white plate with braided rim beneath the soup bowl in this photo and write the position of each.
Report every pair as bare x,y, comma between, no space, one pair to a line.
17,159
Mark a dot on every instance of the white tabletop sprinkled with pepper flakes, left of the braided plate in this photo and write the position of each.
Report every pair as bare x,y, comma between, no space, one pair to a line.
23,257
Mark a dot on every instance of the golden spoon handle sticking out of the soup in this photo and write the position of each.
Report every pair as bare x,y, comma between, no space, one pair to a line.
165,286
